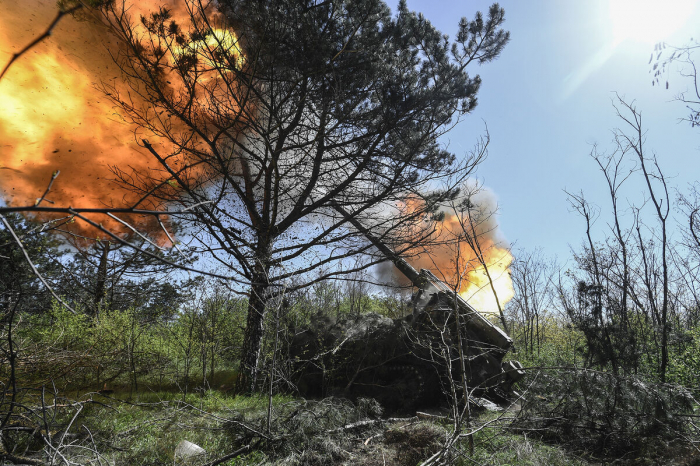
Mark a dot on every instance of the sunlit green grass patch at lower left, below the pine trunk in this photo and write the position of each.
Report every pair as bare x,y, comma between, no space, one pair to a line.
146,430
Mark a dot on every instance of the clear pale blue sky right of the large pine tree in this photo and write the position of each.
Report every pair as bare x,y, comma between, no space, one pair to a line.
548,98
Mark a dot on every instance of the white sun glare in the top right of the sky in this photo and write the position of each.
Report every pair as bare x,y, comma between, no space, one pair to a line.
648,21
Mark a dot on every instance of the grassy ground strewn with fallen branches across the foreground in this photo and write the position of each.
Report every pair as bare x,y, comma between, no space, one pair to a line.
146,429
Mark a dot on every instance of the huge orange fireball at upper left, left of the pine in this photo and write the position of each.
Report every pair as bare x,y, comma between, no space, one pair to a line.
56,115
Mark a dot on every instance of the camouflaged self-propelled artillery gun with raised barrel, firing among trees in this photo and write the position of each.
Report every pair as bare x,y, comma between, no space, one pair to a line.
407,363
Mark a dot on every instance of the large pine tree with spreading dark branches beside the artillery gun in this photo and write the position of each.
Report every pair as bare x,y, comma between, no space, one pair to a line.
311,104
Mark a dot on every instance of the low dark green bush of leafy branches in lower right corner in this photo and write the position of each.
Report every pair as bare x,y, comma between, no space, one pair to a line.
599,412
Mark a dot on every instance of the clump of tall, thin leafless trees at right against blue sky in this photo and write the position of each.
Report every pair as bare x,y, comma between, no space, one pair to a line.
625,298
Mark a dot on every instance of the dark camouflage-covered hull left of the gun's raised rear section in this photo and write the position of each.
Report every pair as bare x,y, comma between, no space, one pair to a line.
366,356
